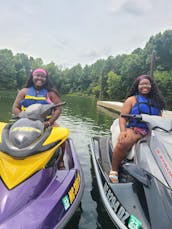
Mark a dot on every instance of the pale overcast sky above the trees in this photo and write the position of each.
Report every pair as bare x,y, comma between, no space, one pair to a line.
69,32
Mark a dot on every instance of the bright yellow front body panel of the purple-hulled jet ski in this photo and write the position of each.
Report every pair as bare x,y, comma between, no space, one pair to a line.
14,171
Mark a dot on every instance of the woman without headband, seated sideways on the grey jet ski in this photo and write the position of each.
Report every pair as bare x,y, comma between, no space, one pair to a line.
143,98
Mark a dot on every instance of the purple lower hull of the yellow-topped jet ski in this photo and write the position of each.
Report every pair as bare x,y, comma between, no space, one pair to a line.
47,199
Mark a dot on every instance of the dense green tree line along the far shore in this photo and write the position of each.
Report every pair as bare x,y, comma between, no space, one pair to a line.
109,78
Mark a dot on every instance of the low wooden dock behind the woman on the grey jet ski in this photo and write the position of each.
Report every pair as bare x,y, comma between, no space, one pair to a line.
116,107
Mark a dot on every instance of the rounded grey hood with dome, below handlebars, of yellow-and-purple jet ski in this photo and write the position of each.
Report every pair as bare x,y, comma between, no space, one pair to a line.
25,137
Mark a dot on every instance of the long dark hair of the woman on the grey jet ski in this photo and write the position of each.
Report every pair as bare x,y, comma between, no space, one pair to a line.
154,93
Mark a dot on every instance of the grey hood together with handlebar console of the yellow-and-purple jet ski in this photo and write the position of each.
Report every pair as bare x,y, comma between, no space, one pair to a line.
26,134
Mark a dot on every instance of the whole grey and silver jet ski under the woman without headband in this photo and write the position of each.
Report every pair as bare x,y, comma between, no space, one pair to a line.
143,196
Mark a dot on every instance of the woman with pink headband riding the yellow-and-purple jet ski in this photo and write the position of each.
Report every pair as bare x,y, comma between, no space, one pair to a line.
39,89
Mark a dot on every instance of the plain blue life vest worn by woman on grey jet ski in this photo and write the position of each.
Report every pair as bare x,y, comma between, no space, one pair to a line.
143,106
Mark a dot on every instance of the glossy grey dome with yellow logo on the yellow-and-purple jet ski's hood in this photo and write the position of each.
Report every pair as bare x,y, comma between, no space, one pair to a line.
25,132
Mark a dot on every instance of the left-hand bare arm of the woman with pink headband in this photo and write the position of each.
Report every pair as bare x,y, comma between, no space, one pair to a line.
16,109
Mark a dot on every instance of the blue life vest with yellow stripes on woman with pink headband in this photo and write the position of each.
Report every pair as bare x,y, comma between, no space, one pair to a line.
34,96
